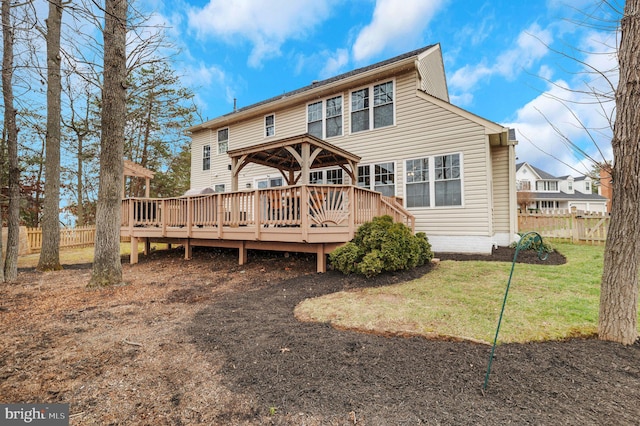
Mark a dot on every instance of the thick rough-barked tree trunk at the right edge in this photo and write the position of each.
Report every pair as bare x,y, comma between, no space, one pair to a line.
618,315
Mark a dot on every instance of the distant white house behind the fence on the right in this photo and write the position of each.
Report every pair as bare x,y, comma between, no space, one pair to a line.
539,190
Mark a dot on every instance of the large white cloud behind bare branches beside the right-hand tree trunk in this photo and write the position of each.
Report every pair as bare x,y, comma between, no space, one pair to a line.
570,106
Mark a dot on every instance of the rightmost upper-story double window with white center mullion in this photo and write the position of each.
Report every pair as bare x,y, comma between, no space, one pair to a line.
363,117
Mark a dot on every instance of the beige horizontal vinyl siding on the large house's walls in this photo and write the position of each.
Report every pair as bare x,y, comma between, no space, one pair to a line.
421,129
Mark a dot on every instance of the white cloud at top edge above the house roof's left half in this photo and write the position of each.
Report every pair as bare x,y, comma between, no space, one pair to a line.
265,25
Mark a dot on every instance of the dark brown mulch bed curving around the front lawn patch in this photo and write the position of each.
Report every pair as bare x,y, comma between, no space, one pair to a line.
302,372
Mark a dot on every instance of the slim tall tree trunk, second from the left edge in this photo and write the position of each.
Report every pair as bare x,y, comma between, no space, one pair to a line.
50,252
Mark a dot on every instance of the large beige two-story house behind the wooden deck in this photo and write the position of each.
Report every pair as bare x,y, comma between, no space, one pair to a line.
453,170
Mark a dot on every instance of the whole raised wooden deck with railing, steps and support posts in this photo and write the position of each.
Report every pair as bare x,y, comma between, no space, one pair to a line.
301,218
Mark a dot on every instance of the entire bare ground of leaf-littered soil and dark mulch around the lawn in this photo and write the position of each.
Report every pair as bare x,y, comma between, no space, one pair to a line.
208,342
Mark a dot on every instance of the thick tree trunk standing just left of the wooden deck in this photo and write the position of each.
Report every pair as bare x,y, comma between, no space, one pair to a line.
107,268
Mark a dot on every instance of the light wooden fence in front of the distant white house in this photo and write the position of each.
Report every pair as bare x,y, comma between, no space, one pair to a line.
573,226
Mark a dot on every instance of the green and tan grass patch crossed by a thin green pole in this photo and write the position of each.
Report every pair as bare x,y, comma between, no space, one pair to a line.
463,300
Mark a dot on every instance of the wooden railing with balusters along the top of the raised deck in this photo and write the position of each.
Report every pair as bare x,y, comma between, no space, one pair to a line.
289,206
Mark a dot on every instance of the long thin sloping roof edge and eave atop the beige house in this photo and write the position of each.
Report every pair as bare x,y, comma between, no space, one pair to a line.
396,61
